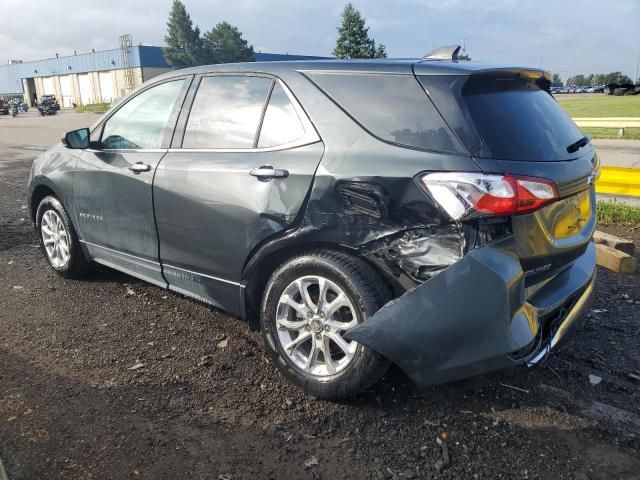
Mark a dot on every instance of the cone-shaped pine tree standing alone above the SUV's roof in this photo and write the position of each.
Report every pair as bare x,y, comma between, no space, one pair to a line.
353,37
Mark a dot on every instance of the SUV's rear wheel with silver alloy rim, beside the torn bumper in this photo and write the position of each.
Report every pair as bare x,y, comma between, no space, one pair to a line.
310,302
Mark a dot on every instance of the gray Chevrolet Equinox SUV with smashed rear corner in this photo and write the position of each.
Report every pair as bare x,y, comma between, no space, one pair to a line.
429,213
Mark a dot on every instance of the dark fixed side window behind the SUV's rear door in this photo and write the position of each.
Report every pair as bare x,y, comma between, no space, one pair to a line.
394,108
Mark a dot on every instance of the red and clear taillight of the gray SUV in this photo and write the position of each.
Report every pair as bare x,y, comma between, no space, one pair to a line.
464,195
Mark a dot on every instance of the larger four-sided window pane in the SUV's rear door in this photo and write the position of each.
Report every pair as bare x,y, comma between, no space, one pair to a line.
226,112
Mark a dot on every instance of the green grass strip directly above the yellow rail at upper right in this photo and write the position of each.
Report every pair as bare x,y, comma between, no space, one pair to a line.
602,106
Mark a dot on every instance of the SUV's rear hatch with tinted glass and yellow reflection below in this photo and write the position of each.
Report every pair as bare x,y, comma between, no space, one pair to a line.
510,124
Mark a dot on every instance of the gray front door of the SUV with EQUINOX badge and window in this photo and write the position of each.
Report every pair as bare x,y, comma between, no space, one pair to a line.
113,182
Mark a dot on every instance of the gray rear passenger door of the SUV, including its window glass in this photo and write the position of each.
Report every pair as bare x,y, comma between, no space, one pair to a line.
246,159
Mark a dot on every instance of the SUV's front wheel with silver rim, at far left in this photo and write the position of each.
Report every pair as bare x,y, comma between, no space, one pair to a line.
59,240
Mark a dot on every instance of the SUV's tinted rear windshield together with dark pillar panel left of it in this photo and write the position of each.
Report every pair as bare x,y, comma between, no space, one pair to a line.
504,117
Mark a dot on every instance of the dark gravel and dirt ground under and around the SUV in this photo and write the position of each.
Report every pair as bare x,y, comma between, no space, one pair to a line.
109,377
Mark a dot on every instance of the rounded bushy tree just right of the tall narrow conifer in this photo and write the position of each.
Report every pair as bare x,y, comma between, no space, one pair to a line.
224,44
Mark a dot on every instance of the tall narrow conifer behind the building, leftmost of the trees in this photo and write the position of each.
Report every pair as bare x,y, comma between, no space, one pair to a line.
182,39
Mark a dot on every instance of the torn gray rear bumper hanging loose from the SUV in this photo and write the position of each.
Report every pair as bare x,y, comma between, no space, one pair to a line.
477,316
